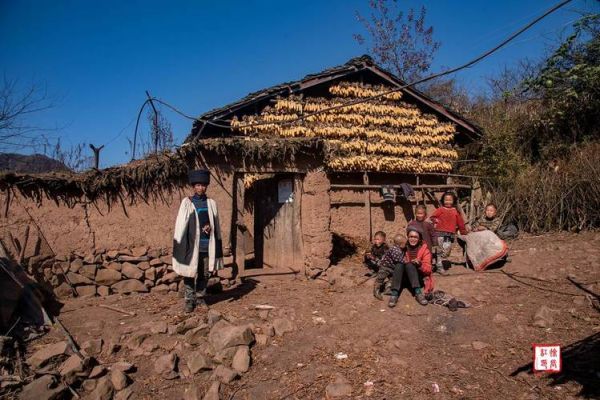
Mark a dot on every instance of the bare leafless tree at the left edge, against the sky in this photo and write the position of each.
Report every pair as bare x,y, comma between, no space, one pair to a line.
16,108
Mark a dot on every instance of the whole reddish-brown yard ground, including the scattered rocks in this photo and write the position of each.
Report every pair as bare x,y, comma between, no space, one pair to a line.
287,338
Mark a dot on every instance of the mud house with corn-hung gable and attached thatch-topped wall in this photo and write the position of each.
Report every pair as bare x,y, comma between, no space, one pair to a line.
293,167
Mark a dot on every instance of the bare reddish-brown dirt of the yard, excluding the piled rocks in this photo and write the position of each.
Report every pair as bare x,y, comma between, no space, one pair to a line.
408,352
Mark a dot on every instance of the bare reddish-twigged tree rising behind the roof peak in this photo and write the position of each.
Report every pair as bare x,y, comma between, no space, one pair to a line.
399,41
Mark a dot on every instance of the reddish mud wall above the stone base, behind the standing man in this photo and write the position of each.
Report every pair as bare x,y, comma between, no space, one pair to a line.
86,228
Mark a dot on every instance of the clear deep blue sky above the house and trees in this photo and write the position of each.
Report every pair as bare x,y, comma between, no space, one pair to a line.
96,58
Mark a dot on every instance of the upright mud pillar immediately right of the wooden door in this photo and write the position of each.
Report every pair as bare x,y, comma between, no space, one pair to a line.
316,234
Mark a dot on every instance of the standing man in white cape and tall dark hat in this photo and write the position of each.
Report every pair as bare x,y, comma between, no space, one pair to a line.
197,248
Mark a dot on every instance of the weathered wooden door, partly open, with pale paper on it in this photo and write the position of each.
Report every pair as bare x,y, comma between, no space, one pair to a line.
278,235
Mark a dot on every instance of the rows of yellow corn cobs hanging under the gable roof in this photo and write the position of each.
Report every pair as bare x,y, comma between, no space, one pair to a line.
382,134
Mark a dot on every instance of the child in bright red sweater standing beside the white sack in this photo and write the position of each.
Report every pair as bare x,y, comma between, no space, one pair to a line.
446,220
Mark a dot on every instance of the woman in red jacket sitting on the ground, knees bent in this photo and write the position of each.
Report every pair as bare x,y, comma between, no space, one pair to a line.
416,266
